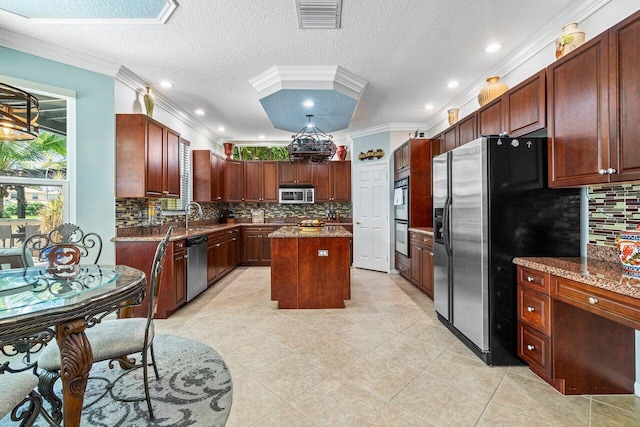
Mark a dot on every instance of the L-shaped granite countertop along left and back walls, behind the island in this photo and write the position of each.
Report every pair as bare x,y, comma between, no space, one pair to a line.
179,233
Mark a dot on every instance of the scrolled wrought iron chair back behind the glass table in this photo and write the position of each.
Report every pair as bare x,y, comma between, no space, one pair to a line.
64,246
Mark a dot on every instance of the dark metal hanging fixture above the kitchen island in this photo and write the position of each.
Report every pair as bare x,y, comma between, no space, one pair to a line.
311,144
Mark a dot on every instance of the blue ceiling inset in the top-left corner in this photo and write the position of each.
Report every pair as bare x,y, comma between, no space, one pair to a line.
85,9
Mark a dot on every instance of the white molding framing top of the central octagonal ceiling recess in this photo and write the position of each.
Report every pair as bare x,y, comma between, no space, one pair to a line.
309,77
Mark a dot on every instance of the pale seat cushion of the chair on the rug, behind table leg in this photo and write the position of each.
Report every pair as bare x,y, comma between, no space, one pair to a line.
109,339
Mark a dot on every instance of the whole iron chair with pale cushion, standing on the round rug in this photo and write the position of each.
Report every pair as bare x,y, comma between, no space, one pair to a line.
113,340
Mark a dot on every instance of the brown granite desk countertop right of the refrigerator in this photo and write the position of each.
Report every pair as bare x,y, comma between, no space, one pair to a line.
595,272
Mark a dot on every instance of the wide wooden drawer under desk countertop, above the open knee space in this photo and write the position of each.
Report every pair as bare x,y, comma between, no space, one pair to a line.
614,306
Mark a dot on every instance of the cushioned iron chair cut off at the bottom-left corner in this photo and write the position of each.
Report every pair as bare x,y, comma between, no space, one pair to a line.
17,390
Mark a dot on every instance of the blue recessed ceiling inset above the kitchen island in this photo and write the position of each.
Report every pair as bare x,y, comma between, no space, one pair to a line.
332,110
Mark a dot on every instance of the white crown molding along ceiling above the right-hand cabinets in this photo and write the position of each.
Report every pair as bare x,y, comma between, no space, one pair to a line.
577,11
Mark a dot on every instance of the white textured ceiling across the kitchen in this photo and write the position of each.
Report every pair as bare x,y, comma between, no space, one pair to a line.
407,51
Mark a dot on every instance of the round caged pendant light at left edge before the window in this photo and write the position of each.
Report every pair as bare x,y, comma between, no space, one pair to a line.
19,112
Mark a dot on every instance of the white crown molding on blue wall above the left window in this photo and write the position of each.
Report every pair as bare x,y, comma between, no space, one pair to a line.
56,53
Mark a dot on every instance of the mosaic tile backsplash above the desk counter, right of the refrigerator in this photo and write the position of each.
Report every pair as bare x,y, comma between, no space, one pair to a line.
612,208
